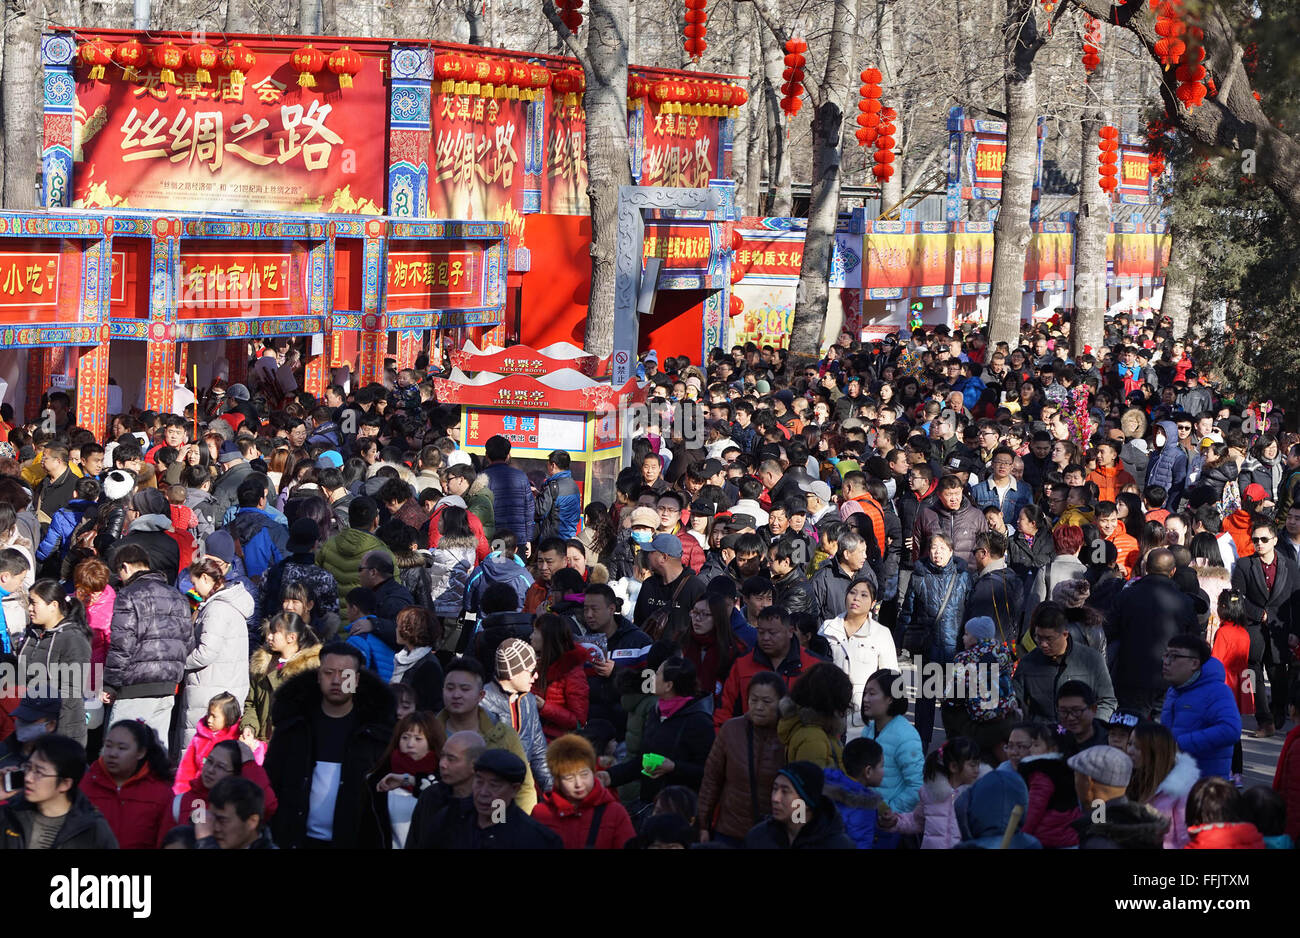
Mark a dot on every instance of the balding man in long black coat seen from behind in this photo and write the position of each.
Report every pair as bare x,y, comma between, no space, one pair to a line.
1149,614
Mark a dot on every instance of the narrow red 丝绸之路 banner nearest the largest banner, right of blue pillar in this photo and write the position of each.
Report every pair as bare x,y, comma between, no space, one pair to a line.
476,166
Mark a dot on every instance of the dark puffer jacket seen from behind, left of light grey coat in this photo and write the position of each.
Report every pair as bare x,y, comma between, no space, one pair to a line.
153,635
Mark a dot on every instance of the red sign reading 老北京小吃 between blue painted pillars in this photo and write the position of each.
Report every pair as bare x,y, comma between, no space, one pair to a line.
216,284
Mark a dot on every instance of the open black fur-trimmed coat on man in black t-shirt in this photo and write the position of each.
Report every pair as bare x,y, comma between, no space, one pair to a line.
291,758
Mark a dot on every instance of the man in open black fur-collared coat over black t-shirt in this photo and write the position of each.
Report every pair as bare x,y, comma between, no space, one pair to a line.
332,727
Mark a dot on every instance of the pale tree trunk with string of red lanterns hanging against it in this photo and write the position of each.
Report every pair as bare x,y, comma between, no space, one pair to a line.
1094,222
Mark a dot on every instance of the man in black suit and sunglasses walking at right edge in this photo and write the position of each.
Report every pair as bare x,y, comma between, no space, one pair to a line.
1268,583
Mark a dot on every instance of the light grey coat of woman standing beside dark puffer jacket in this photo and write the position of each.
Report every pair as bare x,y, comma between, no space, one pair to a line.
220,661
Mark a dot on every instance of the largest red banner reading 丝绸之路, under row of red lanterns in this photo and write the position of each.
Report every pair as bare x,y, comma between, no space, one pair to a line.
259,145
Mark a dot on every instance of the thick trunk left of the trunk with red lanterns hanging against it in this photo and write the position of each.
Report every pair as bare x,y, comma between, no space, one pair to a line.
1012,231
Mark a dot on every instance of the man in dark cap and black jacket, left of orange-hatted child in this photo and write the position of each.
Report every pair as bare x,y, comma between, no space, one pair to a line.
489,819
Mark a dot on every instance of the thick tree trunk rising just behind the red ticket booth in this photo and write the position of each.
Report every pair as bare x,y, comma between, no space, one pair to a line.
608,155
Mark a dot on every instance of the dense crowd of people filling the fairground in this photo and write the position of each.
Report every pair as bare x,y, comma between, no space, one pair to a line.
274,622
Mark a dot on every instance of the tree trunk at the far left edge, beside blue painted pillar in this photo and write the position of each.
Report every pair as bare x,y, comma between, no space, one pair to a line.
20,92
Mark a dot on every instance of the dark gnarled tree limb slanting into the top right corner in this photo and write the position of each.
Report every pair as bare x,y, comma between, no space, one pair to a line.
1233,119
